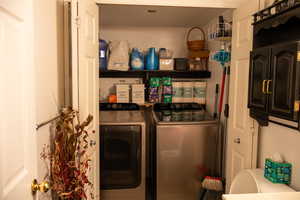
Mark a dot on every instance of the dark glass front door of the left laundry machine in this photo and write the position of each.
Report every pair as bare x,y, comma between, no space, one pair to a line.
120,157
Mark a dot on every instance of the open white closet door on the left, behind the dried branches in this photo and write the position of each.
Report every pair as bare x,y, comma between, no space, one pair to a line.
85,74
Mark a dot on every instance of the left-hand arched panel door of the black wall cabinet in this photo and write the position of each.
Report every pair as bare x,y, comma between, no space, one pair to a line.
259,69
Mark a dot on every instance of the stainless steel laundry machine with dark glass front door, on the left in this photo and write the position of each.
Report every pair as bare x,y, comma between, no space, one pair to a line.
122,153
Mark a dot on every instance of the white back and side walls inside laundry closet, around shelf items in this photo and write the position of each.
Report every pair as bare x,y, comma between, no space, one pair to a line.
173,38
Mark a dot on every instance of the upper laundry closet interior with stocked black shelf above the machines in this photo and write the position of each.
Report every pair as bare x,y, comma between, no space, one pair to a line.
163,28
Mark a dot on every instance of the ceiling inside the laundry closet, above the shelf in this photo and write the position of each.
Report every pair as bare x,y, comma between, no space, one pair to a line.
133,15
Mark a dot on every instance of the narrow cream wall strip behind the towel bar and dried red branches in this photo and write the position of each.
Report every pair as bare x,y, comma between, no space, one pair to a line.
49,73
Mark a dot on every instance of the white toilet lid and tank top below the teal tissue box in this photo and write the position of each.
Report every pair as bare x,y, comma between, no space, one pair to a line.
253,181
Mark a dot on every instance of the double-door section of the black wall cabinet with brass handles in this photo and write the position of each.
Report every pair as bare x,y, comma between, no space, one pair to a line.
274,82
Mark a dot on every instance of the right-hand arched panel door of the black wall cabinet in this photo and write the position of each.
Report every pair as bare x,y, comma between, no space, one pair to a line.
283,77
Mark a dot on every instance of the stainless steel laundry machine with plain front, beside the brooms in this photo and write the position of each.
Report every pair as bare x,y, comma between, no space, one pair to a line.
184,150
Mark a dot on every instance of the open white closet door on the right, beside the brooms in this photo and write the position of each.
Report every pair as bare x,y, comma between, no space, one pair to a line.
249,140
